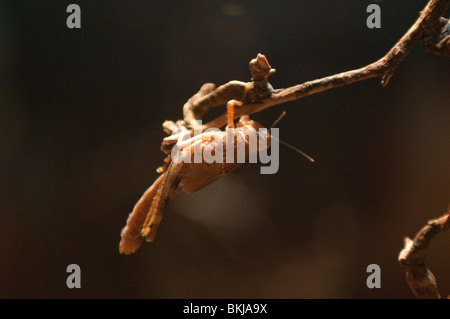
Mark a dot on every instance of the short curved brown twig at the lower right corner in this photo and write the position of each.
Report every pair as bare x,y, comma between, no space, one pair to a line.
419,278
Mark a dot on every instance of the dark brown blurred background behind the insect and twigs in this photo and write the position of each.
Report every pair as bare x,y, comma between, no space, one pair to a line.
80,132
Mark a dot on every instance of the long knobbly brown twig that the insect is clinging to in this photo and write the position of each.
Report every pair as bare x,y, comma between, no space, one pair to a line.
262,95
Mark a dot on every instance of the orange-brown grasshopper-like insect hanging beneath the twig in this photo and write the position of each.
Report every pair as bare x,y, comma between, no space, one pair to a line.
190,177
